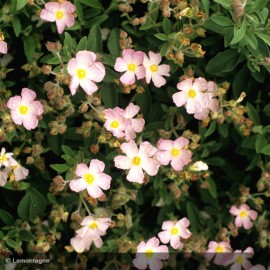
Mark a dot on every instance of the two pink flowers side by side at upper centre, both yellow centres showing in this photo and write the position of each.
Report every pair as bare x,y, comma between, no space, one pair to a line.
137,64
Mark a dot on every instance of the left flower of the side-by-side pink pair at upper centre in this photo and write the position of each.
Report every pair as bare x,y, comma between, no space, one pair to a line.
131,62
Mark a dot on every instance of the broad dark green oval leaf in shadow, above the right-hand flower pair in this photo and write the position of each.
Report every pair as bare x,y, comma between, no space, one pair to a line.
223,62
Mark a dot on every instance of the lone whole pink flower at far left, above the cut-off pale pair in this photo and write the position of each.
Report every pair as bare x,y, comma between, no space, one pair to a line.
24,109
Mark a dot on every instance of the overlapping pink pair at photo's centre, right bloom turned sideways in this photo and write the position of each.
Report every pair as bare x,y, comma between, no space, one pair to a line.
122,122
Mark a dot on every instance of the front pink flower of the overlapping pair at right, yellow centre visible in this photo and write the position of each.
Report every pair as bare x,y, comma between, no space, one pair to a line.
192,95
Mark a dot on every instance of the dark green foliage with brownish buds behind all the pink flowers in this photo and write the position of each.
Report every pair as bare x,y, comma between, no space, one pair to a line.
234,53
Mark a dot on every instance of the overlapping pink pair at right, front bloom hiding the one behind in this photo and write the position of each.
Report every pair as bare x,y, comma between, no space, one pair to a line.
197,96
